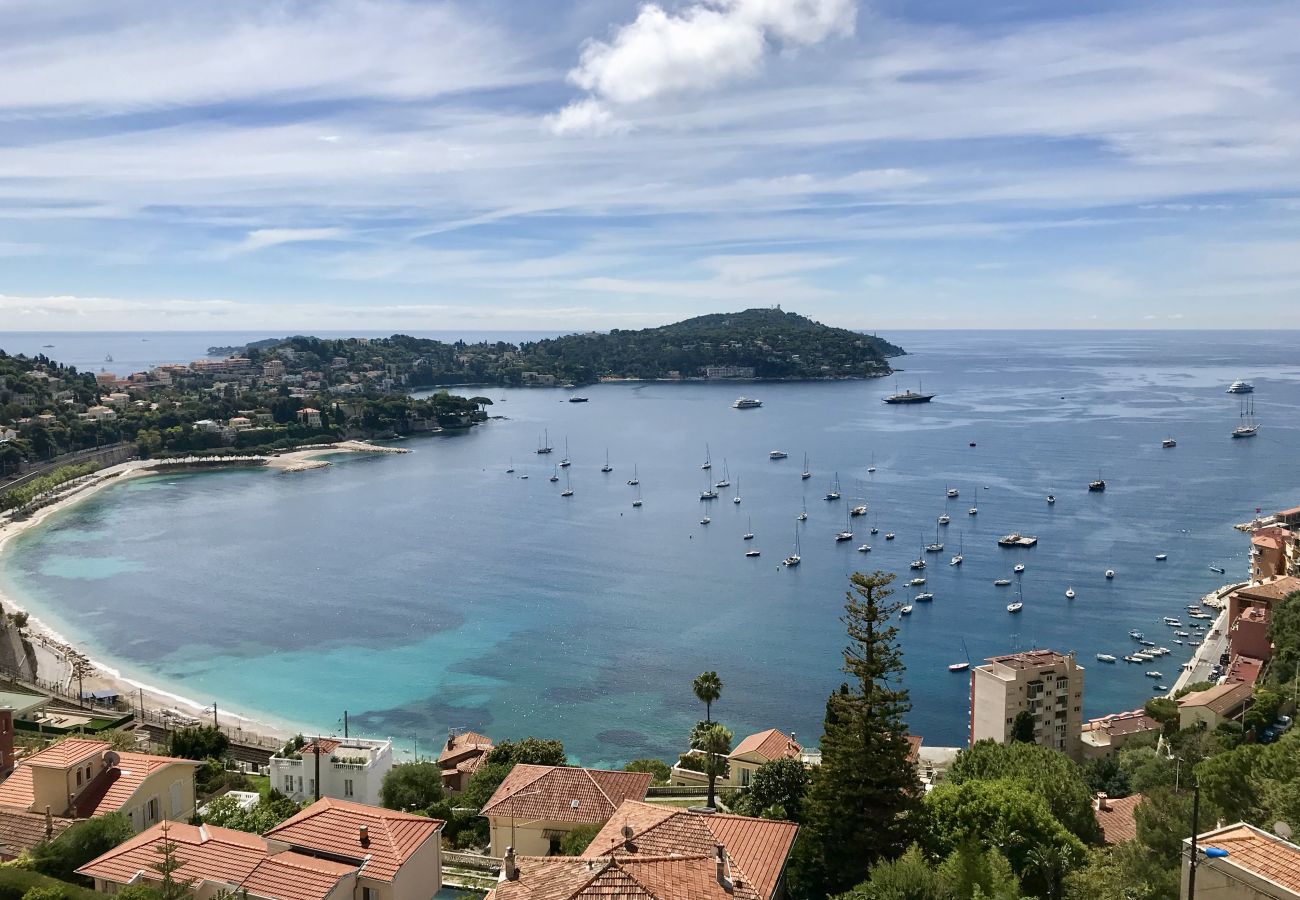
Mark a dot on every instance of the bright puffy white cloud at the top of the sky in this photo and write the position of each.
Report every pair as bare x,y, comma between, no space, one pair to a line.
704,47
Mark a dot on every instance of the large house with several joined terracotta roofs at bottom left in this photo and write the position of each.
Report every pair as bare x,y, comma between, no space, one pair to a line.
331,851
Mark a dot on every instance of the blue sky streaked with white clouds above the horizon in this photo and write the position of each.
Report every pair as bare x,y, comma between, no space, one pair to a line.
418,165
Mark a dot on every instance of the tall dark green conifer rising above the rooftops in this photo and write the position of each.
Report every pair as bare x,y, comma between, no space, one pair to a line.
863,804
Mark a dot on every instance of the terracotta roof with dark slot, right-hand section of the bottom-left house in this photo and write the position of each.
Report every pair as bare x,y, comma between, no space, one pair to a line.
333,827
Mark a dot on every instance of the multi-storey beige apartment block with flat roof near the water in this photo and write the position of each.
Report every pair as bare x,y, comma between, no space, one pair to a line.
1043,683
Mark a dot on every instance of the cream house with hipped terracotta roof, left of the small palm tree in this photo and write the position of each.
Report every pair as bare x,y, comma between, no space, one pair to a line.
538,806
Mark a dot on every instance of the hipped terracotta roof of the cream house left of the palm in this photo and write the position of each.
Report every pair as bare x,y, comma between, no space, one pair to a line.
561,794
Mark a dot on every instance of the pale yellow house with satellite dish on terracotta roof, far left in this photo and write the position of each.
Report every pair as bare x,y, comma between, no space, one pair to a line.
81,778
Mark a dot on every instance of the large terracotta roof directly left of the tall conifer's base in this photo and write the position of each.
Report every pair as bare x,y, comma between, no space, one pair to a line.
757,849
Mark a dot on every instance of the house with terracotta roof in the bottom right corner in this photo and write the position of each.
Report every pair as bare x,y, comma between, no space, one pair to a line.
1258,866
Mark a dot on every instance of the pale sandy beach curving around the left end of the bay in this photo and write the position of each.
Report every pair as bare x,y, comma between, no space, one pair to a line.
55,655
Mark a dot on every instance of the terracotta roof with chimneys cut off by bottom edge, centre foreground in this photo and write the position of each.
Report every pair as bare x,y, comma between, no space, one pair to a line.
622,879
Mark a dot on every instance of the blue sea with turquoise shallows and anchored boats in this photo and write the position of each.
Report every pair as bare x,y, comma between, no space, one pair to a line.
439,590
